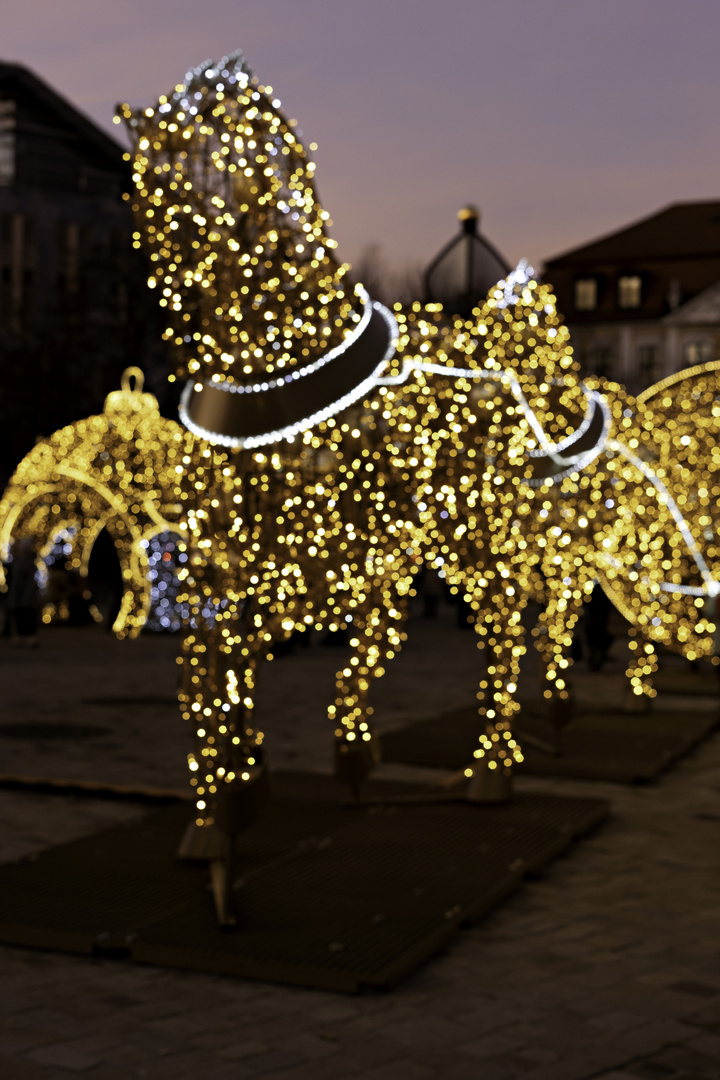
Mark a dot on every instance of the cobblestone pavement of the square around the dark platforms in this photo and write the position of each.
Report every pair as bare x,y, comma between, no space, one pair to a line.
606,967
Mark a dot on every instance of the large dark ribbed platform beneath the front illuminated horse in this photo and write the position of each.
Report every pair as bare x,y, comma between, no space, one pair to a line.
331,895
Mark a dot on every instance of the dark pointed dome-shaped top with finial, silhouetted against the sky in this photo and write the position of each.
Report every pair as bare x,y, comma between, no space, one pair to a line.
467,269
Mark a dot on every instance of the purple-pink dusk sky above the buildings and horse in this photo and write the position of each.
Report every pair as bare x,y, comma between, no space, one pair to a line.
562,119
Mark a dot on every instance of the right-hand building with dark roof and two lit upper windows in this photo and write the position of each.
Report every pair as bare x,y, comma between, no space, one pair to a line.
645,302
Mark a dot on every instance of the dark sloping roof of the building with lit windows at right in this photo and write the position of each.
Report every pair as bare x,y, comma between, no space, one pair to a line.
681,232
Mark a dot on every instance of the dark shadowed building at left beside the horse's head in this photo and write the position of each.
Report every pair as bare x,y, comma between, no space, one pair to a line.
74,304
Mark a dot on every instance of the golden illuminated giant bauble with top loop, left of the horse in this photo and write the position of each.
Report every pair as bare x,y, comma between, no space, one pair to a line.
114,471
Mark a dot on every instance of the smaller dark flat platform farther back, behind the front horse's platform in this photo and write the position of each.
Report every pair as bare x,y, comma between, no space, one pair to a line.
599,746
